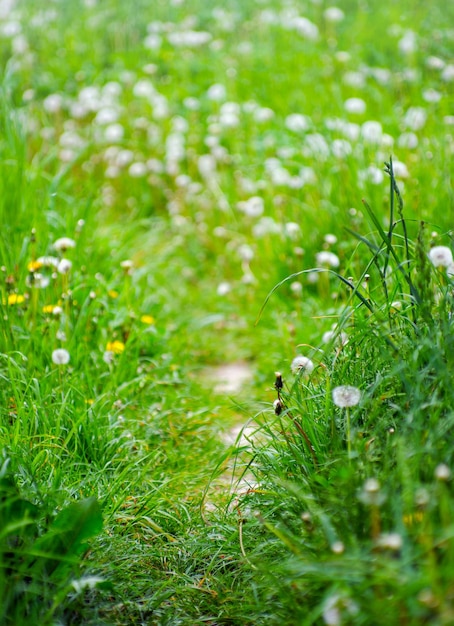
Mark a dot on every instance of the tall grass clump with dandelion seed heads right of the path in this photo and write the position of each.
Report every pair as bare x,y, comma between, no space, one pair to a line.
366,529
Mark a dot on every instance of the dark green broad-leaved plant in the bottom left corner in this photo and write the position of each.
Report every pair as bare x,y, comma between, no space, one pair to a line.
41,552
